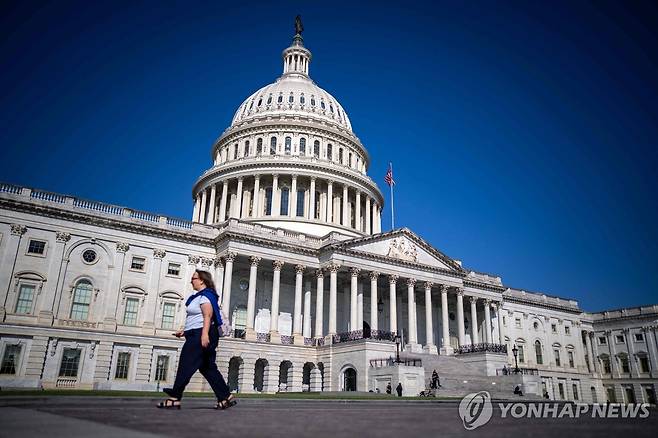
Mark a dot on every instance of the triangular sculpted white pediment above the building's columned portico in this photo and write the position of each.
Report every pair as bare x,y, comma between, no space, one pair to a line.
400,245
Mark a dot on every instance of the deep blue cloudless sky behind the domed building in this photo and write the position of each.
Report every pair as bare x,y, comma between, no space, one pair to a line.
523,134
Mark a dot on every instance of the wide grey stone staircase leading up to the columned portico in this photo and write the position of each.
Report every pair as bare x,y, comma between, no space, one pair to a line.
459,378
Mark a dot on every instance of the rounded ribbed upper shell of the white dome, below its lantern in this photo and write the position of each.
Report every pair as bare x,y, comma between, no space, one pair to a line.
293,95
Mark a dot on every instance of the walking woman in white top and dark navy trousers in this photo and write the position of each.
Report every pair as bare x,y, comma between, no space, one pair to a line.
199,351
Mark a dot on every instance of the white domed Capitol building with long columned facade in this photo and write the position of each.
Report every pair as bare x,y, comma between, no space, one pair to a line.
288,221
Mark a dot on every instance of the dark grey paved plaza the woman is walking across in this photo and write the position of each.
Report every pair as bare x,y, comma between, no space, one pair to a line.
102,417
